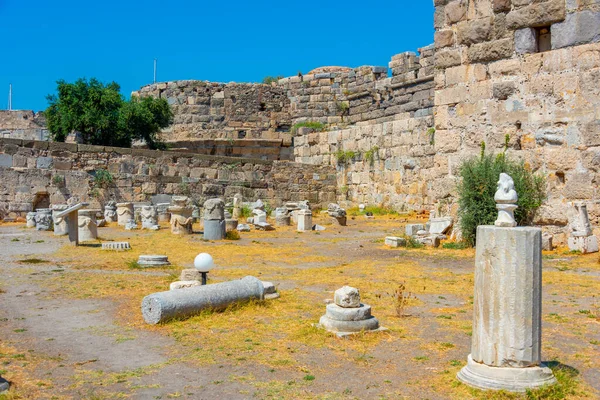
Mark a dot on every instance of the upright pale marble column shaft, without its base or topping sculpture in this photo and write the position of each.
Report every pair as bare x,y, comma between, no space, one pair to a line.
508,297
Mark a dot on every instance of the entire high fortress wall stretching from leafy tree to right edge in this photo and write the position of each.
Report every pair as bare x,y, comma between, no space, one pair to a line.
524,68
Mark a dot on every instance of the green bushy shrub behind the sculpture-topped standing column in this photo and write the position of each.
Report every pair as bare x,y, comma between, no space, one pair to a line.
479,184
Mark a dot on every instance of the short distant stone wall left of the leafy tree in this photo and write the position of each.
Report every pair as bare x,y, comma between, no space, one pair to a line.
23,124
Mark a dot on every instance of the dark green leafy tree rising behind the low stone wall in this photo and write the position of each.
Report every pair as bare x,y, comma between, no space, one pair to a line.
98,112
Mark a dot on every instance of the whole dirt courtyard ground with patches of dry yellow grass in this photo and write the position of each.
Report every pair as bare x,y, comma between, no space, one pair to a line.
71,325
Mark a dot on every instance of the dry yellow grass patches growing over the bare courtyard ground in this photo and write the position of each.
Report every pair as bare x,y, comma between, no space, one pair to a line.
279,334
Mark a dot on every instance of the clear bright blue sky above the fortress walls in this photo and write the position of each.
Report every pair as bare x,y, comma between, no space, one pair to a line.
222,41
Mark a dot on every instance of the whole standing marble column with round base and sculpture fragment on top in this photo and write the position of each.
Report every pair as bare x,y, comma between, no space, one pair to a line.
506,344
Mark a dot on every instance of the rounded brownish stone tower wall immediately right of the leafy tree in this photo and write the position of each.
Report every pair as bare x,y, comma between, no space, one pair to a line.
209,110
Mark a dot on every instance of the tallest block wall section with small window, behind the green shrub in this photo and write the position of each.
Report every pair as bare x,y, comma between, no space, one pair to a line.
492,81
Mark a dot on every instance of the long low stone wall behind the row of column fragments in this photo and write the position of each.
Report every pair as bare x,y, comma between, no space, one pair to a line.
34,174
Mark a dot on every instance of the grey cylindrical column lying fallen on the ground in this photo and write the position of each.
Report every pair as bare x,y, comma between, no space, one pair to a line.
164,306
